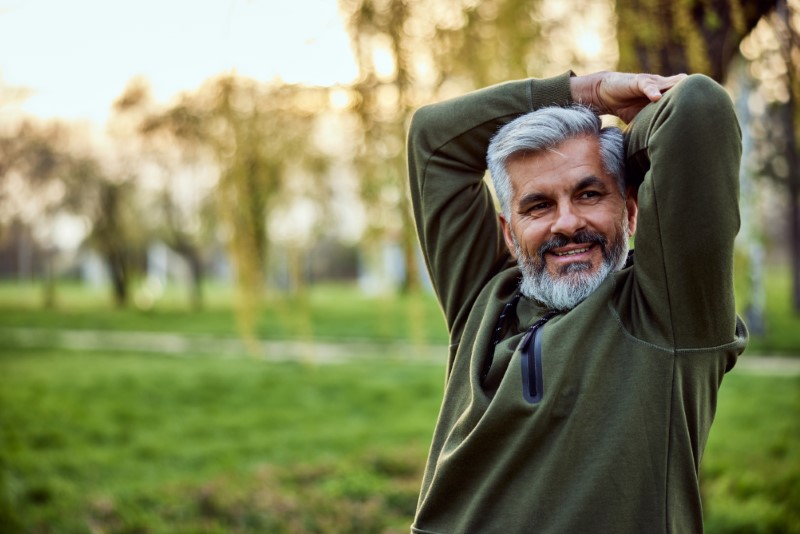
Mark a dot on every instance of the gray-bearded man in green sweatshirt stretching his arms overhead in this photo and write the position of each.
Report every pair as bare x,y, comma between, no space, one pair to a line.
581,382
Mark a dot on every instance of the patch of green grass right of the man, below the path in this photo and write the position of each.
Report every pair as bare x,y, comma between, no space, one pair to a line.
751,467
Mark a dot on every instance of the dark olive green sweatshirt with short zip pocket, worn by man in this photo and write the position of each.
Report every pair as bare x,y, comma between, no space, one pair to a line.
628,378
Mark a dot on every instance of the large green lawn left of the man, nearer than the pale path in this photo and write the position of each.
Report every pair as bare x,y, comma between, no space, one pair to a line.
131,442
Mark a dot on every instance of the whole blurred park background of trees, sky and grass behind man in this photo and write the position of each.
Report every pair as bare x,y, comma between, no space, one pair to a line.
214,316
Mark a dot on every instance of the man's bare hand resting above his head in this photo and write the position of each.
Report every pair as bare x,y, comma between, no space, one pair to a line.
621,94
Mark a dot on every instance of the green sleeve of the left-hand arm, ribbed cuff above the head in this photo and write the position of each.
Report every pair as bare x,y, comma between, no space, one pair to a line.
456,220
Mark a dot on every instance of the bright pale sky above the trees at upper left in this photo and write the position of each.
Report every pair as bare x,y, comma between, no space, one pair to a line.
76,56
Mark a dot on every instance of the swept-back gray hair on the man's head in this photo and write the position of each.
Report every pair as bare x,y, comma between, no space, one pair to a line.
545,129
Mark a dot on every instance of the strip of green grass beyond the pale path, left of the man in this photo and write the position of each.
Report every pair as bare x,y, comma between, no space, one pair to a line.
327,313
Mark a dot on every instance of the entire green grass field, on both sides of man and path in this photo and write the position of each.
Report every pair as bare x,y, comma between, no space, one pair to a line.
101,441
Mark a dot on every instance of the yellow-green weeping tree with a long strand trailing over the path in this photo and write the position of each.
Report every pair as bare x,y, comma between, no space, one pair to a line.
260,137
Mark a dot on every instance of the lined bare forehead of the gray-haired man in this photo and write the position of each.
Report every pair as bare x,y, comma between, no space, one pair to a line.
558,169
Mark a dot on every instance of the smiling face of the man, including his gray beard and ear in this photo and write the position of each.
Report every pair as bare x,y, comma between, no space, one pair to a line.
568,224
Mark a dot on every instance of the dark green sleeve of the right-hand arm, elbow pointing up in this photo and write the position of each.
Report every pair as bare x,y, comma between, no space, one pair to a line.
686,148
